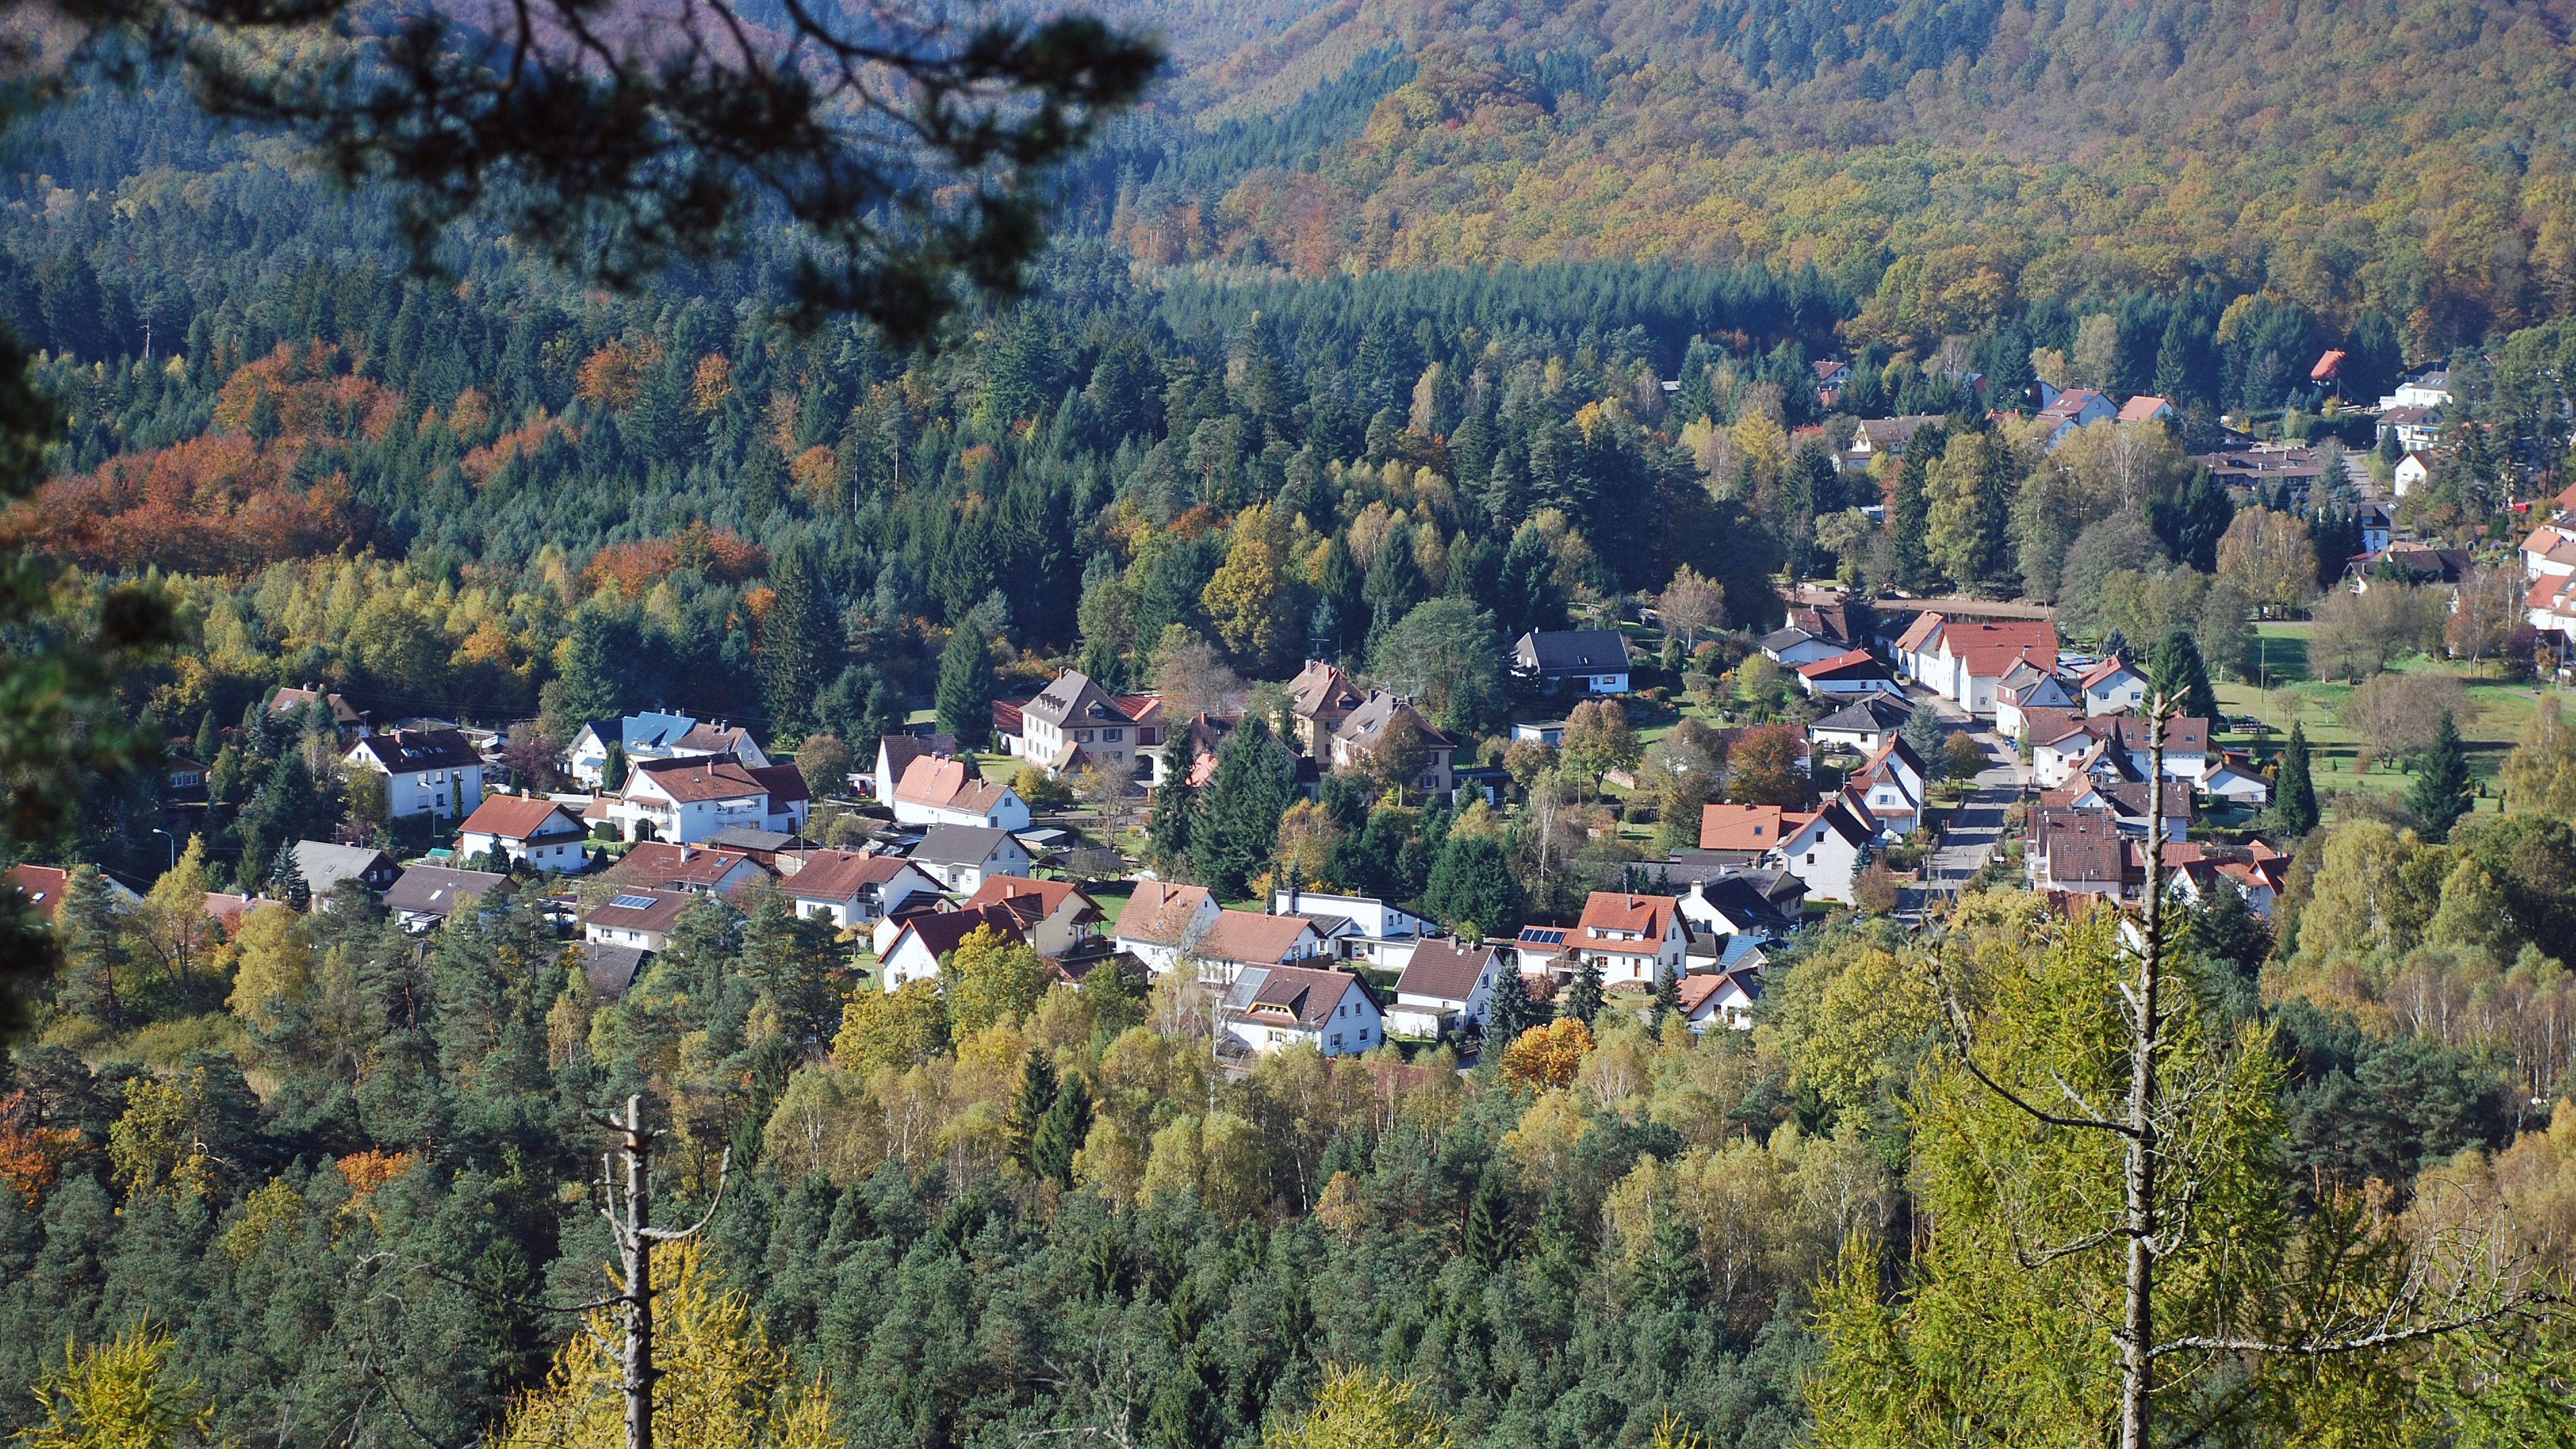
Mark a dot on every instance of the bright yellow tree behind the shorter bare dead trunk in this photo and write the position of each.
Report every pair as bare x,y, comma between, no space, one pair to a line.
723,1383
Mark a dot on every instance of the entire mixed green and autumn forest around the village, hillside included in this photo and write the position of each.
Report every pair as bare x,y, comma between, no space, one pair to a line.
1377,338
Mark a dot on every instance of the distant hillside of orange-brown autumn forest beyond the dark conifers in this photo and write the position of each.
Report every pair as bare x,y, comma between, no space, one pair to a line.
1949,161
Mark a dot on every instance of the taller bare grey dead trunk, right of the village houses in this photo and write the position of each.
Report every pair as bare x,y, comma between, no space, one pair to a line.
2139,1319
